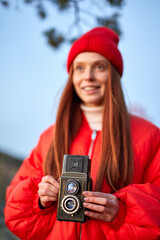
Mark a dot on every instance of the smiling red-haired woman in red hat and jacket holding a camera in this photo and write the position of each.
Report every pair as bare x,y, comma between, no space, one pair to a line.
92,119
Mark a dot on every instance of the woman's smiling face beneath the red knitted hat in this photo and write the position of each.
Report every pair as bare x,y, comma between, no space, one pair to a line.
90,75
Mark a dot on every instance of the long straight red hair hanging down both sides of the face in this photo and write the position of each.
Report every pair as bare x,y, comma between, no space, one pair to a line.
116,162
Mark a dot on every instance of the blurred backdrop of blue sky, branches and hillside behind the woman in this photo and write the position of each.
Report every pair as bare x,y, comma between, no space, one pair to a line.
35,37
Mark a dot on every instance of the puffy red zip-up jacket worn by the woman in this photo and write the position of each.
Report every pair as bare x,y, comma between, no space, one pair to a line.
139,213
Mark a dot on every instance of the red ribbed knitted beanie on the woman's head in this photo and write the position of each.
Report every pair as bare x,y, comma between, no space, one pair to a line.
101,40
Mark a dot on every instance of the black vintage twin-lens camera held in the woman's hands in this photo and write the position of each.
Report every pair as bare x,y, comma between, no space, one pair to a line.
73,181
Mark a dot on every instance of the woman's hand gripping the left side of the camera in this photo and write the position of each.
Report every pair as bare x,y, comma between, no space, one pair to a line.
48,191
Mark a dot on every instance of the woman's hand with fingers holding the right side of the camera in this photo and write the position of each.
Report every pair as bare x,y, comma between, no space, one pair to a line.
103,206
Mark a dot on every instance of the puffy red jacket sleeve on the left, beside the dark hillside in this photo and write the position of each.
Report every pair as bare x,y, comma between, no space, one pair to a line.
22,213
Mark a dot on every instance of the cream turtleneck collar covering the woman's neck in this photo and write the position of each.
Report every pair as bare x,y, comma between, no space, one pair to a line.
93,116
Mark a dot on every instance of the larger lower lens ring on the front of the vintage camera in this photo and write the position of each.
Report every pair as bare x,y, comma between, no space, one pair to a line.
70,204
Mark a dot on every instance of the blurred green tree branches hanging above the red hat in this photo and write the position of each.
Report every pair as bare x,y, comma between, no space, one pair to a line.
94,13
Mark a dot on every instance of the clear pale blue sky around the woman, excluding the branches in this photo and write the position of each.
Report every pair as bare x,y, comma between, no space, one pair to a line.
32,75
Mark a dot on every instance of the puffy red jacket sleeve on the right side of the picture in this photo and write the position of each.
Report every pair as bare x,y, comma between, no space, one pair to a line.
139,213
